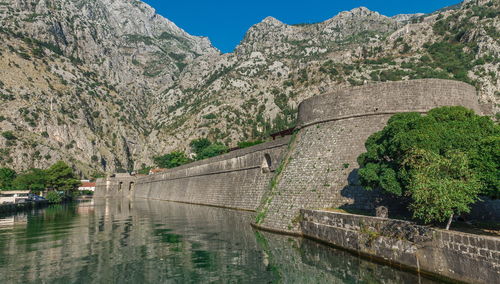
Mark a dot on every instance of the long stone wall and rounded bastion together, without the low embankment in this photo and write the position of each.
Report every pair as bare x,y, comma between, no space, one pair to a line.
317,171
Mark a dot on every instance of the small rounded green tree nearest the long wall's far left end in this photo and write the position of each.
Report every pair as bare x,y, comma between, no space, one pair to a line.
61,177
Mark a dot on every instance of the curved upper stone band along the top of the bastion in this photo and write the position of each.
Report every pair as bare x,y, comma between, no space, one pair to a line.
387,98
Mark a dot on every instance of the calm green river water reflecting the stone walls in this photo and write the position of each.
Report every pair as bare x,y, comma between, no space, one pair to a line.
143,241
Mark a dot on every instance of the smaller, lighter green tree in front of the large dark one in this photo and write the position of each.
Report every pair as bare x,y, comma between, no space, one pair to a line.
440,186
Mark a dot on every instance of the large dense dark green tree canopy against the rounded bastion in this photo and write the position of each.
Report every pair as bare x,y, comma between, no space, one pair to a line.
445,134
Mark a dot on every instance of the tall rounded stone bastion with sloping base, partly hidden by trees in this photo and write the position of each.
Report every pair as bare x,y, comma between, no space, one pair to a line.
320,168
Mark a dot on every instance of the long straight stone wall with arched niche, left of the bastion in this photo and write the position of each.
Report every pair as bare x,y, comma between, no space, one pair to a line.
234,180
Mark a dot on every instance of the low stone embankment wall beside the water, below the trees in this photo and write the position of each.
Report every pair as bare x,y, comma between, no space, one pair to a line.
456,255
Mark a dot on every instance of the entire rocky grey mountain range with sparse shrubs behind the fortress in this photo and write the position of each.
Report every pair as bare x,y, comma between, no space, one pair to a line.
108,84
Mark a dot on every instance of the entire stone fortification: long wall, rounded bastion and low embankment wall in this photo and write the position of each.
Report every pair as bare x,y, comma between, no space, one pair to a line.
286,180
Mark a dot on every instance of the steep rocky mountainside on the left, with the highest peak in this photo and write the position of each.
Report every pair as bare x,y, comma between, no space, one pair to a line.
77,79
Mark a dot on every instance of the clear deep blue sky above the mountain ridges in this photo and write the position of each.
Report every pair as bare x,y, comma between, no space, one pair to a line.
225,22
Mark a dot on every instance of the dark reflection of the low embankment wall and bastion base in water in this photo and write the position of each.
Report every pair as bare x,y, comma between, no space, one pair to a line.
297,260
